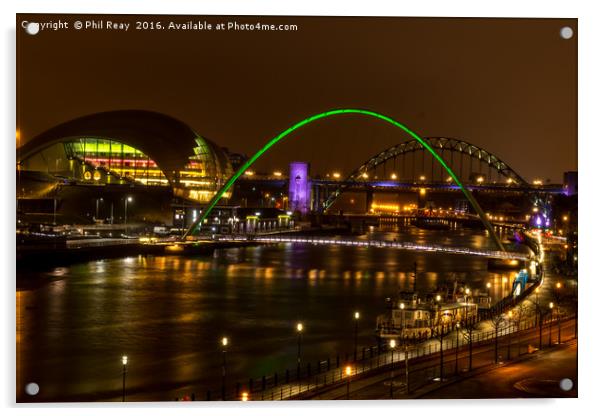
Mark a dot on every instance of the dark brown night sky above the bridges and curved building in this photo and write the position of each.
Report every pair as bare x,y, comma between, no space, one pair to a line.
507,85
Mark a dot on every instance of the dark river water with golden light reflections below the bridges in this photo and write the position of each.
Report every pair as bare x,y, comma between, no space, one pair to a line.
168,313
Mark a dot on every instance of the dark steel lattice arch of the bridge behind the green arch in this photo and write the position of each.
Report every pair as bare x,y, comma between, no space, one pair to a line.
439,144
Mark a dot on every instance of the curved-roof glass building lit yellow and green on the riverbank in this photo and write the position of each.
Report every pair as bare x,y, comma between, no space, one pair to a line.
131,150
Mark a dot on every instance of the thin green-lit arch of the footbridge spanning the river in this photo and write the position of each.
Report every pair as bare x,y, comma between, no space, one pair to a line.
218,195
